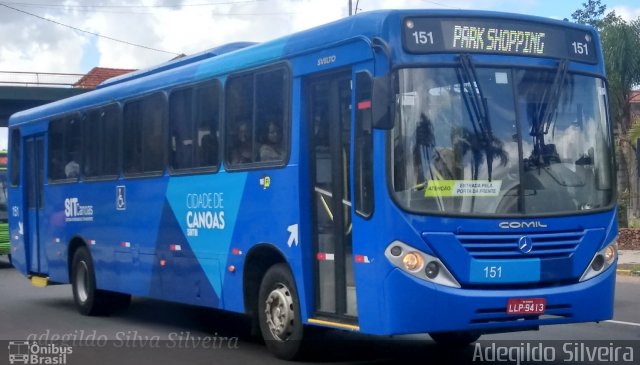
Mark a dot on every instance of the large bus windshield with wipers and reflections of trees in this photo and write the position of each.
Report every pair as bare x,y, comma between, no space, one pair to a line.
501,141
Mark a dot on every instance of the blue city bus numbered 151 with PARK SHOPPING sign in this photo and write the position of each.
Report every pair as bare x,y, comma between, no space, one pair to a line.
394,172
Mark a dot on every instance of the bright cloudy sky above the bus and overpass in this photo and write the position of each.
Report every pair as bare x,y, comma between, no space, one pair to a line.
171,27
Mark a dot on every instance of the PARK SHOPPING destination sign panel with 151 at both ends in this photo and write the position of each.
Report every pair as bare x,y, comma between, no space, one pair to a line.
472,35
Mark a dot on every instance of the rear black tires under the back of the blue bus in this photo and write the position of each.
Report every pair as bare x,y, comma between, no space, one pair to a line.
89,300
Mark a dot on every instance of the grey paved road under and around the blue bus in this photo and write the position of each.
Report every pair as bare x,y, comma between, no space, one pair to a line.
157,332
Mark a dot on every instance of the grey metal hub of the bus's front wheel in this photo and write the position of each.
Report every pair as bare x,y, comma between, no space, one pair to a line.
279,312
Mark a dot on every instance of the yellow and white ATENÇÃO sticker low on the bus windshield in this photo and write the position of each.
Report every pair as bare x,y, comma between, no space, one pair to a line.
445,188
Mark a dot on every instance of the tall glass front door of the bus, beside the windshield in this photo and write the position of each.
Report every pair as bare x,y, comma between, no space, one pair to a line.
330,135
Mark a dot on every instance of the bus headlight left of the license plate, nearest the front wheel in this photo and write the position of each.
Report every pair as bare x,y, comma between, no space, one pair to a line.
413,261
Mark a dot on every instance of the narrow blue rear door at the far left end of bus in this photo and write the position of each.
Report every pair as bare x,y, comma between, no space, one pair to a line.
34,170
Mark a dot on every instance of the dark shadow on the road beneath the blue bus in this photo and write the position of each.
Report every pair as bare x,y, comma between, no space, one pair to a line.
322,345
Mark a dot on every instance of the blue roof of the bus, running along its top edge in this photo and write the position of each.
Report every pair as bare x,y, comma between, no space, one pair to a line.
243,55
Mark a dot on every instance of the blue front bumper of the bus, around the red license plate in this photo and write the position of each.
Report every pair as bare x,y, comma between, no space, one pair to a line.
416,306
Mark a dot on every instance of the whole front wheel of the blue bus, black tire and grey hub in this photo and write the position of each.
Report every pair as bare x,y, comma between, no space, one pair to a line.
279,313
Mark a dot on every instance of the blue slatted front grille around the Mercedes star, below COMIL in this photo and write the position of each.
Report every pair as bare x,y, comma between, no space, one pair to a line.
505,246
